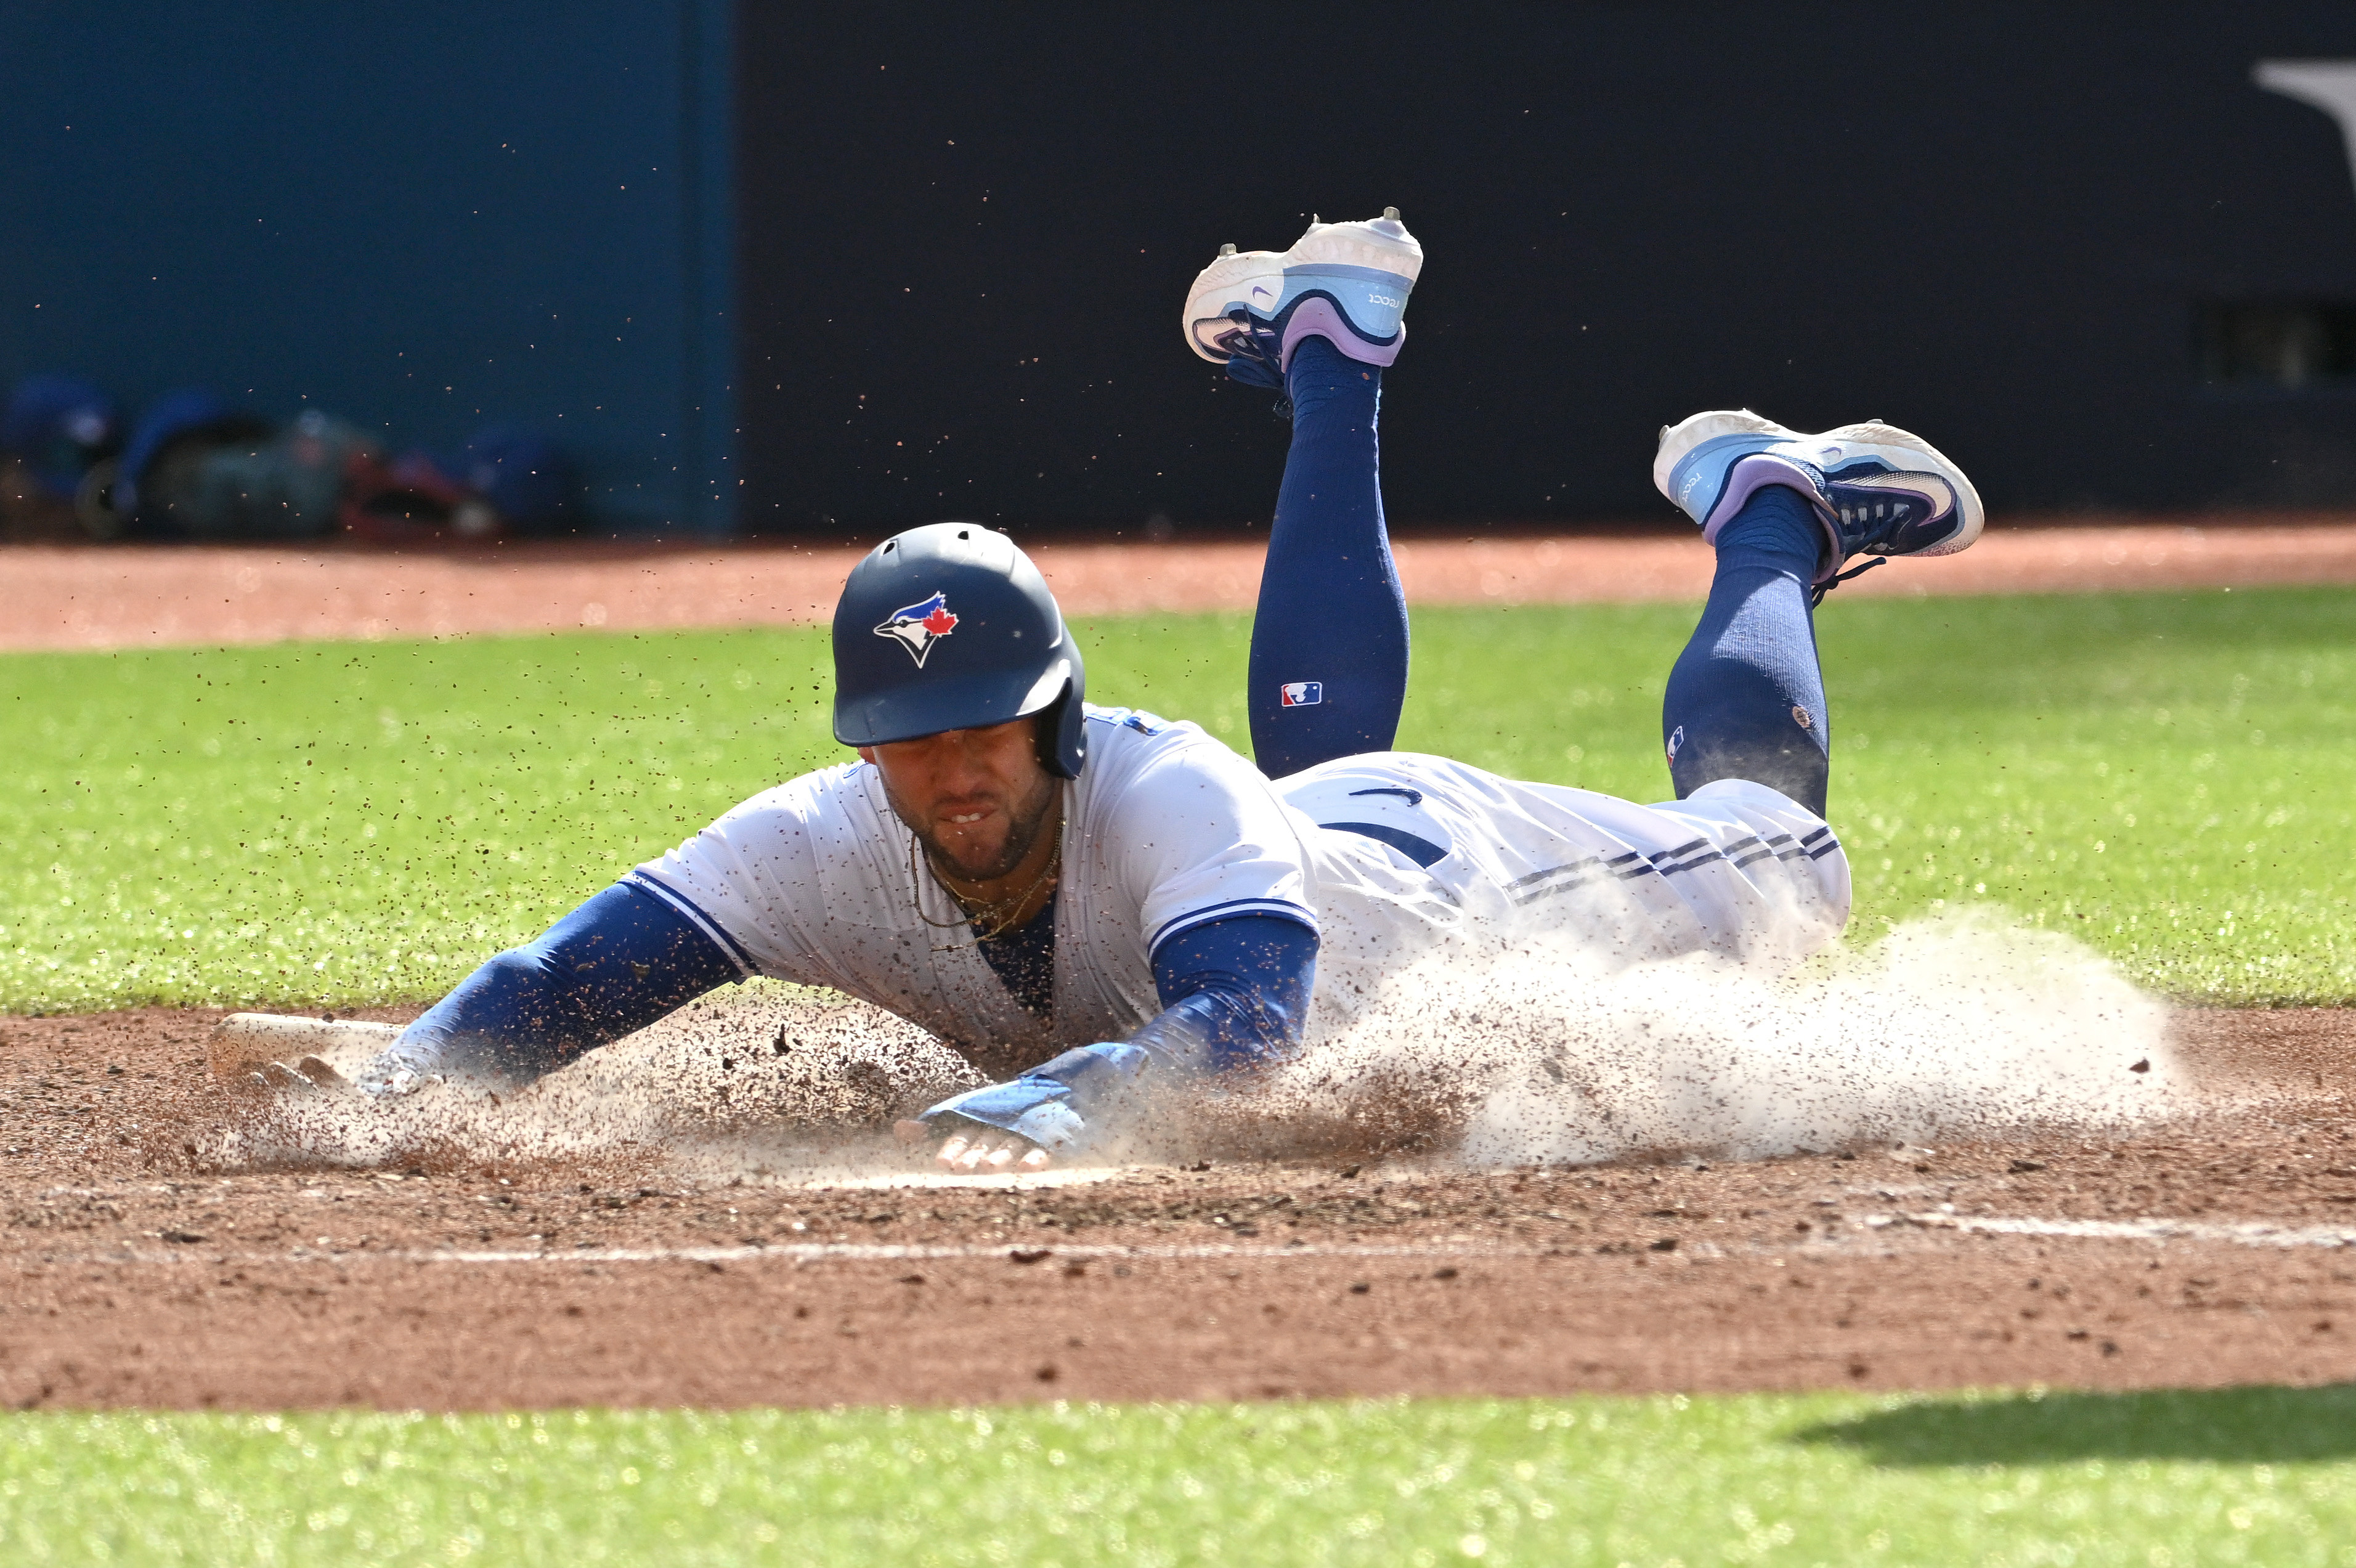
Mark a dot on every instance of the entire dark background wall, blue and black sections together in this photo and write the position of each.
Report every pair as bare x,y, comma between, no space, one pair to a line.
932,258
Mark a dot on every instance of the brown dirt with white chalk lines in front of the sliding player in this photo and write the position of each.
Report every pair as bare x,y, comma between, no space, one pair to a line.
138,1275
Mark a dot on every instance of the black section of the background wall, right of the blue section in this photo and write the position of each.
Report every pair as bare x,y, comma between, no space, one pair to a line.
2074,244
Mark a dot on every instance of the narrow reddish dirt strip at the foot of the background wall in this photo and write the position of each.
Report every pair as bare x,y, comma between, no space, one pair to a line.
65,597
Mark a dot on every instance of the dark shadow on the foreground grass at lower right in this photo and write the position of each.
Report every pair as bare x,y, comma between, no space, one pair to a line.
2218,1426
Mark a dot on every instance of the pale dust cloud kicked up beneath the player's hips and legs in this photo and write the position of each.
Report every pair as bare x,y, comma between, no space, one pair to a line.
1549,1056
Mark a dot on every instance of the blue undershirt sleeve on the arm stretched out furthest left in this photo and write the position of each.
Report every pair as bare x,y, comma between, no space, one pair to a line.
611,966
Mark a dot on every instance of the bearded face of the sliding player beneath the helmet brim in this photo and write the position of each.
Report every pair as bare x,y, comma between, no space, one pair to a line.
977,799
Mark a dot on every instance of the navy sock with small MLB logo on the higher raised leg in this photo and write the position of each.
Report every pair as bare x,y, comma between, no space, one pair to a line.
1330,637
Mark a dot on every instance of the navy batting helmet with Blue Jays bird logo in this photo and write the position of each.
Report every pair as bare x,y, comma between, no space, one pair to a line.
951,627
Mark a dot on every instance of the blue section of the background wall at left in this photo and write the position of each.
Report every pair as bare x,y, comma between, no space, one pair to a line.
423,218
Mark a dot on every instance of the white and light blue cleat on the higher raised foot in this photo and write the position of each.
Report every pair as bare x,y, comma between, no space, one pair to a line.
1339,281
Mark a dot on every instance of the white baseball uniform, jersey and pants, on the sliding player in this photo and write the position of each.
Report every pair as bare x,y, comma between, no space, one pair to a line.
819,882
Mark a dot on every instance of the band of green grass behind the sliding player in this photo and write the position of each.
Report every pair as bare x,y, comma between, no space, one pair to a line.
2171,778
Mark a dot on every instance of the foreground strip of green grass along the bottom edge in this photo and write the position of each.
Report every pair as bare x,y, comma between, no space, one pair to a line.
2091,1480
